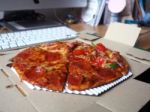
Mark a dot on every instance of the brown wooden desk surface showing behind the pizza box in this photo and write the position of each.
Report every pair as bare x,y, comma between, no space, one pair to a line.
143,41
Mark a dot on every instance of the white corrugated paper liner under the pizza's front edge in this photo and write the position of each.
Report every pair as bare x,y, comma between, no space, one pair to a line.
94,91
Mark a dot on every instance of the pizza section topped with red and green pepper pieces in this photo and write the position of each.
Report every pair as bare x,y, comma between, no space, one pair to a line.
107,58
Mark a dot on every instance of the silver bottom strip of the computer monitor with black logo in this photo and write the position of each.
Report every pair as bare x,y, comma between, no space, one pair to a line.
13,5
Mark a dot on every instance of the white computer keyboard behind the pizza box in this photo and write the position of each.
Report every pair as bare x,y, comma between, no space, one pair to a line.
20,39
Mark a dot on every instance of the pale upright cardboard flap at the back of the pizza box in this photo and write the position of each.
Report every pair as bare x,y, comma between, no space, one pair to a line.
123,33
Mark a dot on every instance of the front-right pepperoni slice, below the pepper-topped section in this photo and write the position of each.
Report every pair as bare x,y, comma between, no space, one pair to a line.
82,75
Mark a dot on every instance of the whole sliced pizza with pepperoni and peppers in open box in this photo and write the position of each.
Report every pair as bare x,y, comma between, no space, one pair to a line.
75,65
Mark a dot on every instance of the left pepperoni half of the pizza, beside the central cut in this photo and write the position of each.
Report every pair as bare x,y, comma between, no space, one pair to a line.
41,68
